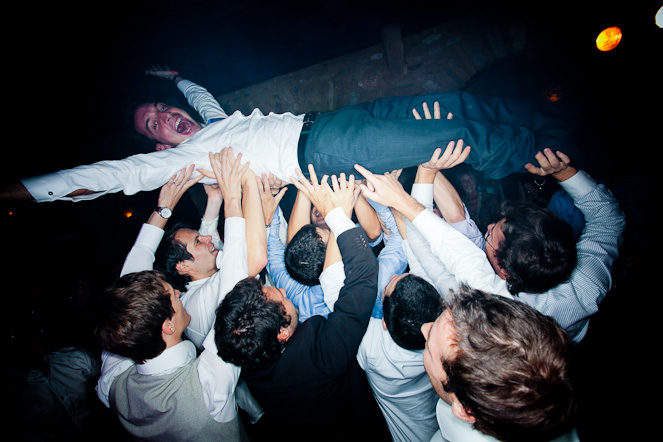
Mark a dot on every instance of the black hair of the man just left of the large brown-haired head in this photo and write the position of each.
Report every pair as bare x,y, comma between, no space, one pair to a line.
413,302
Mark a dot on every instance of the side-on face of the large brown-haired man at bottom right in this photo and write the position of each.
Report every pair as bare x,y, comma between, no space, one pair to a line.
440,346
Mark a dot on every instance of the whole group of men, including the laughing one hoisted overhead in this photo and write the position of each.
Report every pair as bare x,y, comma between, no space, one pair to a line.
305,323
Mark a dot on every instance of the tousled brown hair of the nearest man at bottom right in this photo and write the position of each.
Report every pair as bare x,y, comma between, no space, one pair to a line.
512,368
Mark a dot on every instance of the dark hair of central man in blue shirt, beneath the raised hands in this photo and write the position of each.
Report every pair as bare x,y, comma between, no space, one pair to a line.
305,256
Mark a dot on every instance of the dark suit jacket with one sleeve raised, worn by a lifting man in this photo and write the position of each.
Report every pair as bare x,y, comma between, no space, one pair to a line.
317,380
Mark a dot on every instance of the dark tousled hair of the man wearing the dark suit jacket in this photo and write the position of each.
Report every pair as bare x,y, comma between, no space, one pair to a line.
247,325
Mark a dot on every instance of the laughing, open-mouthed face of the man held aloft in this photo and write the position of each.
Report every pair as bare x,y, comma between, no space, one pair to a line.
167,125
